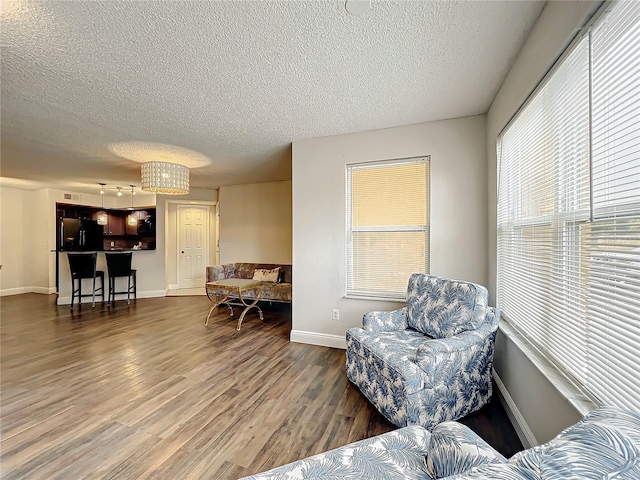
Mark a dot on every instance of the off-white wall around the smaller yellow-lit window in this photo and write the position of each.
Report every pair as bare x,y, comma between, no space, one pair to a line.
458,215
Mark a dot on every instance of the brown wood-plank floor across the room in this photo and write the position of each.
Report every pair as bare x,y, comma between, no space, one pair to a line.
146,391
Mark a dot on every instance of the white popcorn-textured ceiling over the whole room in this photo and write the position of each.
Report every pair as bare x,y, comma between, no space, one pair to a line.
235,81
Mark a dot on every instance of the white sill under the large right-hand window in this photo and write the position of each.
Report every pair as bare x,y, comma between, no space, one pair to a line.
565,386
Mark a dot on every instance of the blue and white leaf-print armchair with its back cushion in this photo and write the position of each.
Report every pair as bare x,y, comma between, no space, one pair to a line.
428,362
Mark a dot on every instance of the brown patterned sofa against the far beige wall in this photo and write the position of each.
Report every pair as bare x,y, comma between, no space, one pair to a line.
279,291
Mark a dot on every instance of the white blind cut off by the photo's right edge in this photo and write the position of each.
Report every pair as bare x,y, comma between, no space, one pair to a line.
613,238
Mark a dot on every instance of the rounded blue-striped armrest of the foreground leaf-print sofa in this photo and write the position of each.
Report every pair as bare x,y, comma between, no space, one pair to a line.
454,448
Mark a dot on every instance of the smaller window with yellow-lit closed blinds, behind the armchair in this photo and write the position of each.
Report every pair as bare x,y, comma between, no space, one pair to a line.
387,226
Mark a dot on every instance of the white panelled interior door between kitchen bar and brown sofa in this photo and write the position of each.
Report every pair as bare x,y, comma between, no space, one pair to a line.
193,244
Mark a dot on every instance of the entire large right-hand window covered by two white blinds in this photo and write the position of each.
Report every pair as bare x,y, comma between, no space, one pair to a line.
569,212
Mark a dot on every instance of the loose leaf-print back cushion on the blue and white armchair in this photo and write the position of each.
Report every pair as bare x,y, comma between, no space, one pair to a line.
442,308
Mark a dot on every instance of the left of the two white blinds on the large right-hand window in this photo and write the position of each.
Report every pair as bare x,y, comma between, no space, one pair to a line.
543,204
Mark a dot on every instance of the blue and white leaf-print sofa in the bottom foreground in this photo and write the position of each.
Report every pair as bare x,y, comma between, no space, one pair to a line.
603,445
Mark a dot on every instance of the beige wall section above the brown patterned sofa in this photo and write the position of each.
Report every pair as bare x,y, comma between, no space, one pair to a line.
255,223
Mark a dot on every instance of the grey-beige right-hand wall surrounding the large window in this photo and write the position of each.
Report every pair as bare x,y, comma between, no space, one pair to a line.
539,404
